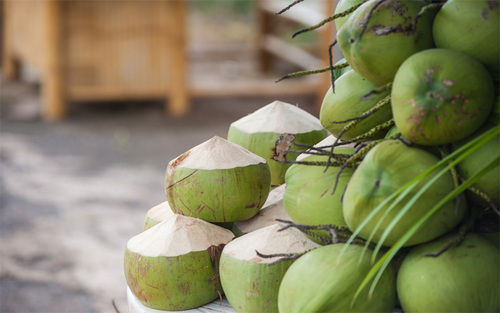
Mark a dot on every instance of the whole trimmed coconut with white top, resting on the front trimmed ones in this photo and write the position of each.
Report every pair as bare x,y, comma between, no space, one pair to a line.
217,181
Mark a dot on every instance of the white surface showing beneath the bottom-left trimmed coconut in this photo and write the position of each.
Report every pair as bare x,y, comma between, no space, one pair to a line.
135,306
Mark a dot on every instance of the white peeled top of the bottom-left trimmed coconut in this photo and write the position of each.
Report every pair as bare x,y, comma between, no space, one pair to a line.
178,235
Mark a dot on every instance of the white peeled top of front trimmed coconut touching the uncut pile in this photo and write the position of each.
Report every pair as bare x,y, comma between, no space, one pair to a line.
268,240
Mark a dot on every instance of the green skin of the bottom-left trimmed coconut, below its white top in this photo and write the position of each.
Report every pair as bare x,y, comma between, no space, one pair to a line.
171,283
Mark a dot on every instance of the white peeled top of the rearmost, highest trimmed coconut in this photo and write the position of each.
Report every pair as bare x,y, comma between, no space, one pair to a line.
278,117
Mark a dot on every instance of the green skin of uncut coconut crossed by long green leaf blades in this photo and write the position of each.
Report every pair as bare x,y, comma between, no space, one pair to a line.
385,169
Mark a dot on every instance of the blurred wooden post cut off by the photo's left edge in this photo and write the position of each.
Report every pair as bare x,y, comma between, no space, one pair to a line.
10,66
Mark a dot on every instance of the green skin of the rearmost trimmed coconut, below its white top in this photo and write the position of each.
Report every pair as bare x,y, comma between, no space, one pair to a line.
263,143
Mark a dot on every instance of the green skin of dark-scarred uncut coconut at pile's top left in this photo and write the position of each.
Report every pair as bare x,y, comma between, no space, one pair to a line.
377,55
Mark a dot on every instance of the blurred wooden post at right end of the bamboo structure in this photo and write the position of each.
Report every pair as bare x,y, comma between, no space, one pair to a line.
178,98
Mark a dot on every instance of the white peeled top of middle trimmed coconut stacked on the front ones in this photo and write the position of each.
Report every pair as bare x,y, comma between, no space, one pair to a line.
215,153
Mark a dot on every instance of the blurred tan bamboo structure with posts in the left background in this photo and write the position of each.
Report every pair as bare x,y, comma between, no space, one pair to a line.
98,50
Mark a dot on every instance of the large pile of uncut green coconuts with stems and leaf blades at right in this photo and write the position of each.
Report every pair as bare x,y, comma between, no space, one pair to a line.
408,188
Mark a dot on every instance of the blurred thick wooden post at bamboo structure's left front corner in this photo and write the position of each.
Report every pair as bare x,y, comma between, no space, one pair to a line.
53,99
